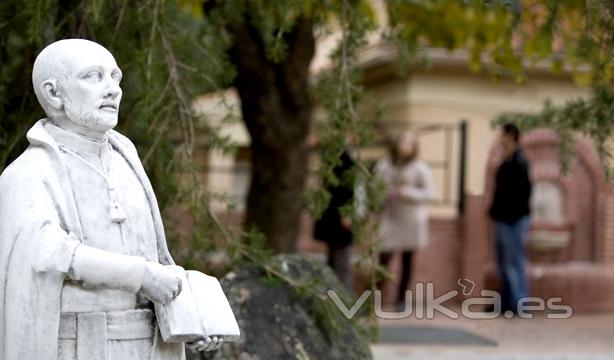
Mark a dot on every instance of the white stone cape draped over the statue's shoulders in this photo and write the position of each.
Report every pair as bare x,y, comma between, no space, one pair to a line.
35,191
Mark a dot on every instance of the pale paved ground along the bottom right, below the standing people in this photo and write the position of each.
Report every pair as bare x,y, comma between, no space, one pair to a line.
582,337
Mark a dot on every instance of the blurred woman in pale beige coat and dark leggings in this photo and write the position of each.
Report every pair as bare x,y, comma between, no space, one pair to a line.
404,218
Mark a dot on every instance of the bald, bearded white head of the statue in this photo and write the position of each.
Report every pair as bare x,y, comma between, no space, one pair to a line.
76,82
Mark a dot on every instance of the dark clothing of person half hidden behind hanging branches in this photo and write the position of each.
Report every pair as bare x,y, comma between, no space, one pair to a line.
329,228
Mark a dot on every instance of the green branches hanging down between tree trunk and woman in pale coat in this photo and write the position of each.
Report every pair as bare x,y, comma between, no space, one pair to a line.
340,94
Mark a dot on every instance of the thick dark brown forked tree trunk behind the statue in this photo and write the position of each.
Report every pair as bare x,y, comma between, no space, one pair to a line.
276,109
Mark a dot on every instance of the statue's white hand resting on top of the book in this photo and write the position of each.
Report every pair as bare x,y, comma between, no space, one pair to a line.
160,283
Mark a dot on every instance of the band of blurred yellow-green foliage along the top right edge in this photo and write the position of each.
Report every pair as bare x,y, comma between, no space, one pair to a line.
507,37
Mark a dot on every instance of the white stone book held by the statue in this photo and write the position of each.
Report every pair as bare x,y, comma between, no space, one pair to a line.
200,310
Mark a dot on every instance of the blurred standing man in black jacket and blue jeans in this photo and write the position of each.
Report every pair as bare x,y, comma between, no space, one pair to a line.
510,212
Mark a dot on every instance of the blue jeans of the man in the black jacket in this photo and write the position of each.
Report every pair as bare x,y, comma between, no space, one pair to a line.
511,261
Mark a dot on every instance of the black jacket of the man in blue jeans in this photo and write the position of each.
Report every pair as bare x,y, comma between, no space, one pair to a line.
512,190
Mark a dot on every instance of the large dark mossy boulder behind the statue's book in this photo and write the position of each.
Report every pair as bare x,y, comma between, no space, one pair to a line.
279,321
